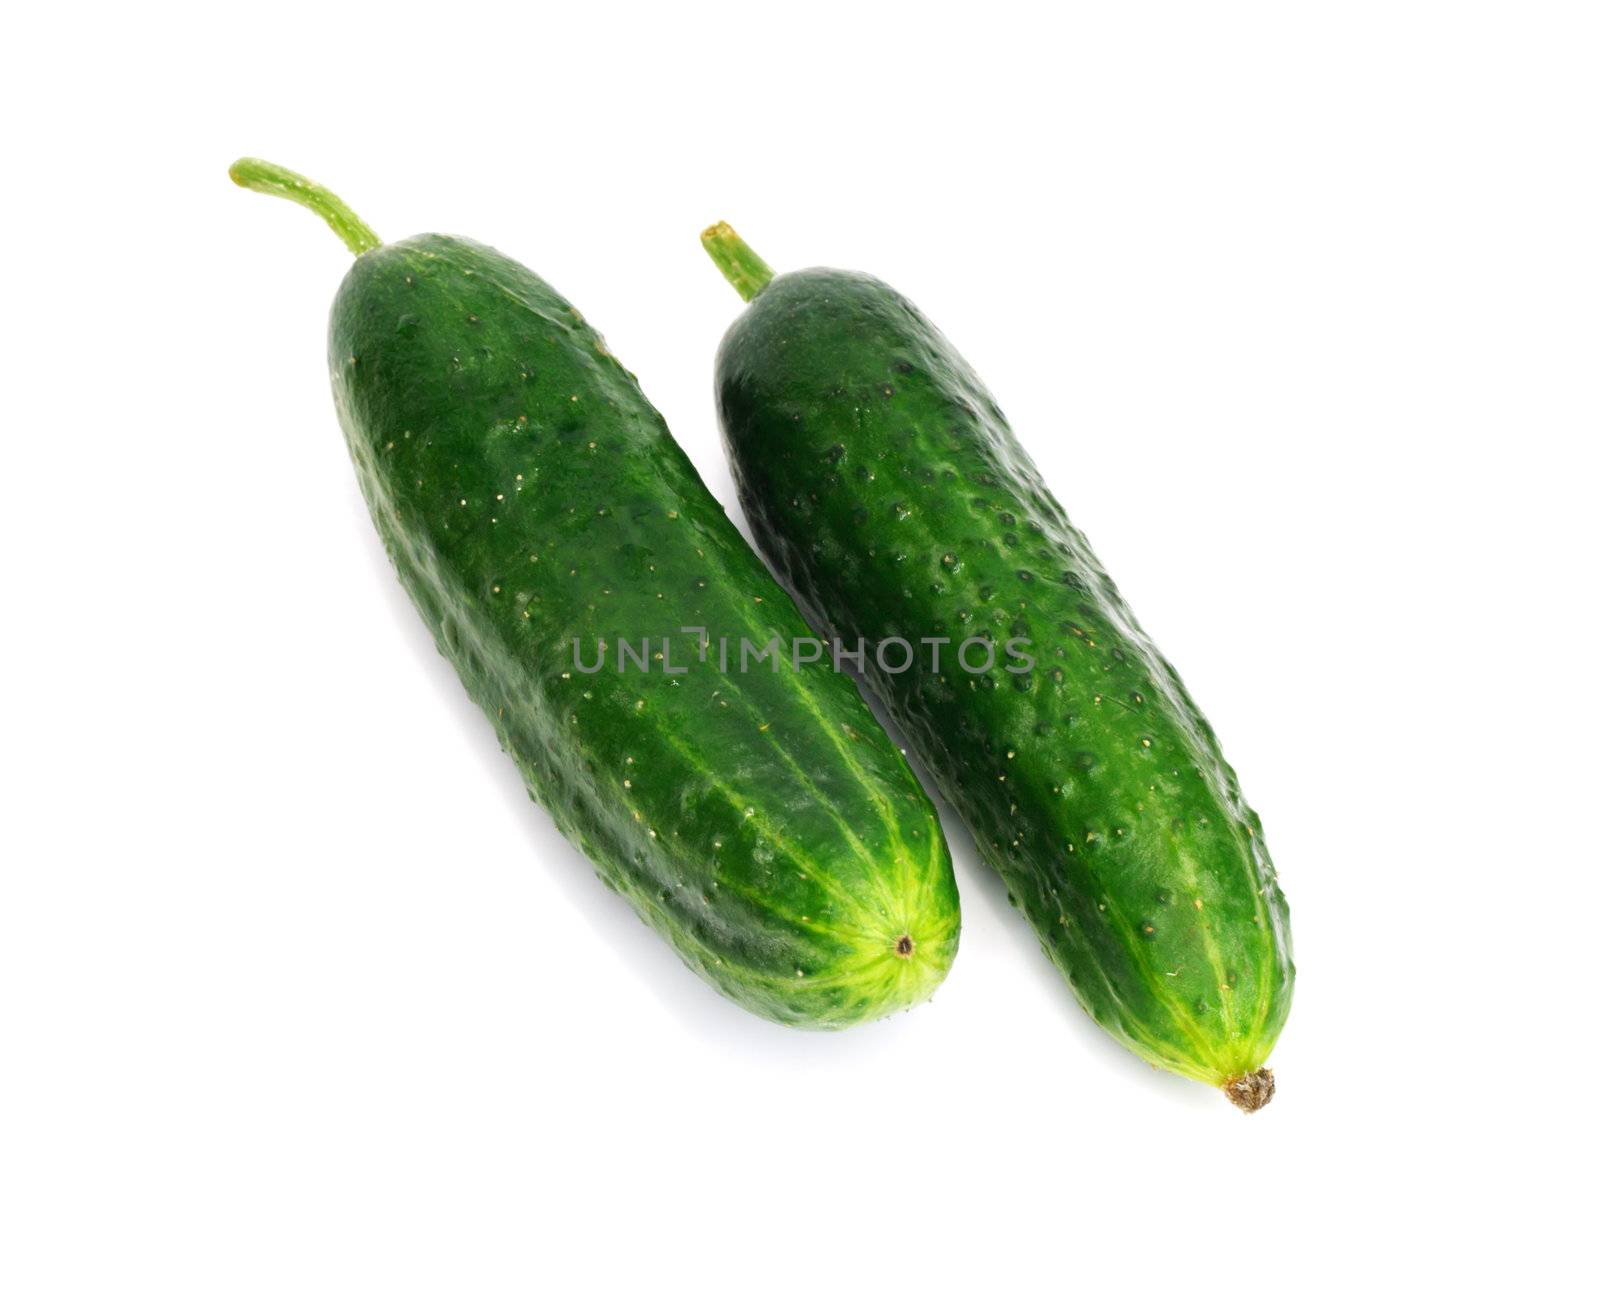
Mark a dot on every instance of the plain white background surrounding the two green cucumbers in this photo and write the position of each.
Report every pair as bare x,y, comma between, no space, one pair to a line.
1297,308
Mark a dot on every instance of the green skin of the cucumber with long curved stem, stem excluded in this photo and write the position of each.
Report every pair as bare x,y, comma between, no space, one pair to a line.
529,494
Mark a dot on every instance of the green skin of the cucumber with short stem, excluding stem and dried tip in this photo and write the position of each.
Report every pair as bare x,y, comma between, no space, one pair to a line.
887,491
